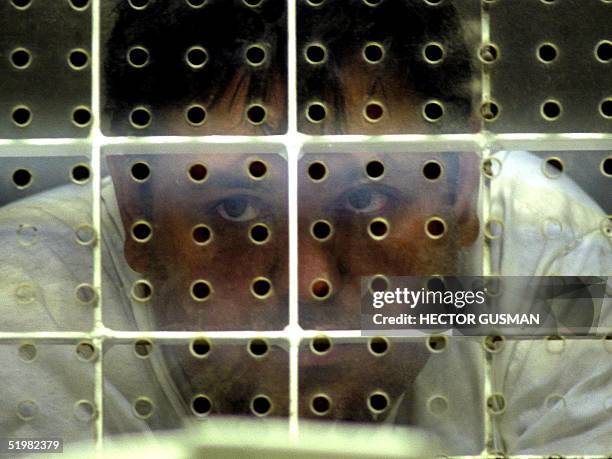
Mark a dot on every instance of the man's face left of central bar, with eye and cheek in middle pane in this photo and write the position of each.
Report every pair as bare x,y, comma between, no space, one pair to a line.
217,229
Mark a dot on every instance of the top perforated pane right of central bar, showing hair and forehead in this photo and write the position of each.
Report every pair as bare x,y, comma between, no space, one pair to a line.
375,53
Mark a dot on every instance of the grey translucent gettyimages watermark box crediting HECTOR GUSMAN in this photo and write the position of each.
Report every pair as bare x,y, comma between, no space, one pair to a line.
409,306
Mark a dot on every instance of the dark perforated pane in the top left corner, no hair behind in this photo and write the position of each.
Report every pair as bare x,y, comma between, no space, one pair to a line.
45,83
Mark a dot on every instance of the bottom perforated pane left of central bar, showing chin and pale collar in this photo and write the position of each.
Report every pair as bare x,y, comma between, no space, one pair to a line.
195,377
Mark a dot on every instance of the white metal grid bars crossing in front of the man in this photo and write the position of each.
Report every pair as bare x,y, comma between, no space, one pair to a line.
484,142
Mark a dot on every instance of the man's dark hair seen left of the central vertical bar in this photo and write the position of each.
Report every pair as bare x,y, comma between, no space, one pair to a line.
168,29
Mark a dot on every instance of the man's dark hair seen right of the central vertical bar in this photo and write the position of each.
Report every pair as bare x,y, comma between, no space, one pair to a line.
404,27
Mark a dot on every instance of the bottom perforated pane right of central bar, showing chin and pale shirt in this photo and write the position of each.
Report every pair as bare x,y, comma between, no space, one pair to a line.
397,381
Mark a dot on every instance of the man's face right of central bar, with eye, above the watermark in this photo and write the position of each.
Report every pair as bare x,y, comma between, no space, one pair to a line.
397,224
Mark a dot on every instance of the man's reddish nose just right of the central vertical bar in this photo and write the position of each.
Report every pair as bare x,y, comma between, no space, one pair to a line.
316,262
